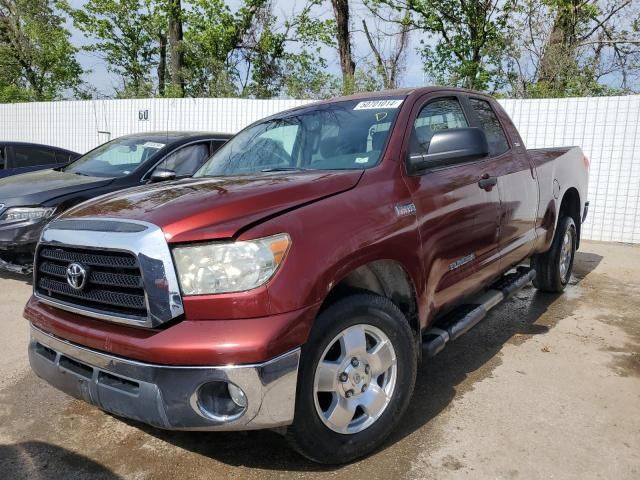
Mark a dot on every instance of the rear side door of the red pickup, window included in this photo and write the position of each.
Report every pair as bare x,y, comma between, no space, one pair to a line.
517,184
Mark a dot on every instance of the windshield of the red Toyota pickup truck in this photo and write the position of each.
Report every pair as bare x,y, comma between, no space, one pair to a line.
345,135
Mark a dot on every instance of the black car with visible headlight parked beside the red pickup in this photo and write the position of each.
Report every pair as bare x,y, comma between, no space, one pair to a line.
30,200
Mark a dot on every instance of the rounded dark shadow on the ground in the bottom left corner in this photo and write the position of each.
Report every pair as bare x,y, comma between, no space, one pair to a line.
29,460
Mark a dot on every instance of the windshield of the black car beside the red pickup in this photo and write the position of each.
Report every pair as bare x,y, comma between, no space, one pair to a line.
116,158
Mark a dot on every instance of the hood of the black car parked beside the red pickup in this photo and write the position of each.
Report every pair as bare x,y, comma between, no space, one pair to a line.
36,188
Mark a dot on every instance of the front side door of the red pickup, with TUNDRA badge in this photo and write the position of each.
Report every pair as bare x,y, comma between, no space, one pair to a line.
458,218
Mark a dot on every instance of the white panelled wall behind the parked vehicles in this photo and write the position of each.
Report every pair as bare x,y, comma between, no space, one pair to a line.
607,128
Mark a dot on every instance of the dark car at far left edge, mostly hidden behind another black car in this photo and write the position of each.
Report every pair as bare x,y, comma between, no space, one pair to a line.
21,157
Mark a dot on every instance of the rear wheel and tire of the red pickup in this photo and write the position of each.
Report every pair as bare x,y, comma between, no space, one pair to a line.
553,268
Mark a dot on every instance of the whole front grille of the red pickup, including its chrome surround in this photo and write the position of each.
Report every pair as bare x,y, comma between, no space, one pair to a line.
126,269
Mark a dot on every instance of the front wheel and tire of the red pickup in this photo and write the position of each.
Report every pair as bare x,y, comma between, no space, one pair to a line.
312,433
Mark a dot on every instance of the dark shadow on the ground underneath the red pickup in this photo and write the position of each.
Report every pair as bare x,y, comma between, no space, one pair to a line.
438,382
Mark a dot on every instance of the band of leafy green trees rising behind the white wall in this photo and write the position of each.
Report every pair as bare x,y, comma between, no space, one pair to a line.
245,48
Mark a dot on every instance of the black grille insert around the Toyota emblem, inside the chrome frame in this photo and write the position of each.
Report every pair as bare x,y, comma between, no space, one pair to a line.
114,284
